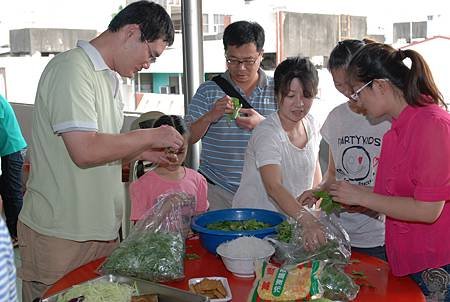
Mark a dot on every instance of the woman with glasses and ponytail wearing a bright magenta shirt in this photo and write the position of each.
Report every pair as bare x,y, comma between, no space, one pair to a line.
412,185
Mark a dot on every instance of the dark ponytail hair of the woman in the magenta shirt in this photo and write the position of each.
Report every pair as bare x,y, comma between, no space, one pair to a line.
382,61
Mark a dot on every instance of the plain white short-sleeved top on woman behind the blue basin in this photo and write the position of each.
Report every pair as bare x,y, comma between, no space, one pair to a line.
270,144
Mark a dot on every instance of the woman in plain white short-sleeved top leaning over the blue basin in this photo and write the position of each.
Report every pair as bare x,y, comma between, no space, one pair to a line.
281,159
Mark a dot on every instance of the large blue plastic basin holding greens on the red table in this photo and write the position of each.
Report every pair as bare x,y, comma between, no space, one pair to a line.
211,239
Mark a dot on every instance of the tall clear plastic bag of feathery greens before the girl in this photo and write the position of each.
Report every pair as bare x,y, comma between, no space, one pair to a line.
155,248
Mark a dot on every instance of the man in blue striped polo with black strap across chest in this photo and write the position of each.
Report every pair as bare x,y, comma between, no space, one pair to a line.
224,141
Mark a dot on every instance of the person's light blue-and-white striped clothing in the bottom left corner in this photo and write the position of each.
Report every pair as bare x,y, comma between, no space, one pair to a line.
7,268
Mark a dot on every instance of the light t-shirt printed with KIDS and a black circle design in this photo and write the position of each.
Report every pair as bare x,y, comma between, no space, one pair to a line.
355,143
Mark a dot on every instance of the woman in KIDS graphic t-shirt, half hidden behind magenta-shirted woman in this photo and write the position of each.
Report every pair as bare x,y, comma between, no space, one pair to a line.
354,148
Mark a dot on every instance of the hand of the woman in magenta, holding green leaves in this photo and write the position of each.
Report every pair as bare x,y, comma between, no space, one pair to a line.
346,193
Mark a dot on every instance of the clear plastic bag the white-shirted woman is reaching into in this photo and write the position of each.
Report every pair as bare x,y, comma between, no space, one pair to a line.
334,248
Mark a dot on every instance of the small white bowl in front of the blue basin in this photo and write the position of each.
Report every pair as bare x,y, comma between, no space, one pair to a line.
243,267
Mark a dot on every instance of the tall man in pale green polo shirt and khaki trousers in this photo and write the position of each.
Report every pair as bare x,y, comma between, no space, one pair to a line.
74,201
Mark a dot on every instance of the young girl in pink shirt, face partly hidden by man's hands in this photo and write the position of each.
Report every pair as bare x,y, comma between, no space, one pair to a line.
168,178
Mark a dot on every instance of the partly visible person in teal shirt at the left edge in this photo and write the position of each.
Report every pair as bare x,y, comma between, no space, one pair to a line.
12,146
